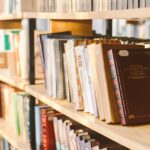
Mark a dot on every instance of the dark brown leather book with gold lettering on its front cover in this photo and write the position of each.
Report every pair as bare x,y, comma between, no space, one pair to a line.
131,77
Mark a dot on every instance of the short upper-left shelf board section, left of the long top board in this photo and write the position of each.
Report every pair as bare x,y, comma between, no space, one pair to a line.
16,16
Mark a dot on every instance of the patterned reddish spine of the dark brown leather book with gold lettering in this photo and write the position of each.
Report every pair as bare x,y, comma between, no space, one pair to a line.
116,85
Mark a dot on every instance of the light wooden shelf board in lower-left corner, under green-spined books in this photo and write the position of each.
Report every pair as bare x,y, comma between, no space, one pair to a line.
16,141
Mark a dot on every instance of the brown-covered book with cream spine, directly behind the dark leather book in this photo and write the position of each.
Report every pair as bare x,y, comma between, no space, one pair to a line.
111,113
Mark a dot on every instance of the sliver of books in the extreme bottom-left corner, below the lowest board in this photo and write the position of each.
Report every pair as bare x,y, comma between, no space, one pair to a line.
4,145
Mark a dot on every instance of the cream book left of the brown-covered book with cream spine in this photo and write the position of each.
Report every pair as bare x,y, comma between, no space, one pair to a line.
95,76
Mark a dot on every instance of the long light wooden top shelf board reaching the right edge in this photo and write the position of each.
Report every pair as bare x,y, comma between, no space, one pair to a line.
114,14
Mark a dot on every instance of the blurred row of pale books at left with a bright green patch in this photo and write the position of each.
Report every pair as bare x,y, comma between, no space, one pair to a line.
13,52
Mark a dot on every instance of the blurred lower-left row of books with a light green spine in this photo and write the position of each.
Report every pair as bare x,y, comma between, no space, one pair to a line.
15,109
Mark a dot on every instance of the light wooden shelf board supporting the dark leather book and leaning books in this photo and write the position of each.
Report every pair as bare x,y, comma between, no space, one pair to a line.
135,137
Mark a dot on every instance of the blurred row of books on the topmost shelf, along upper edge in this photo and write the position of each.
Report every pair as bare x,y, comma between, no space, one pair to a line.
11,6
